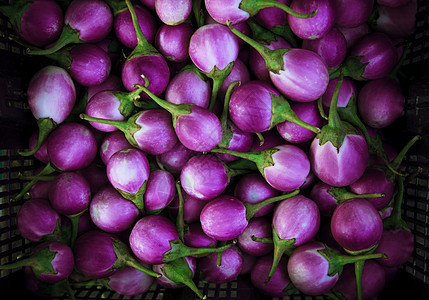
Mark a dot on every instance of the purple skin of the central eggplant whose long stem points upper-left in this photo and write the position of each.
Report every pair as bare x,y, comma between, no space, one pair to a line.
199,130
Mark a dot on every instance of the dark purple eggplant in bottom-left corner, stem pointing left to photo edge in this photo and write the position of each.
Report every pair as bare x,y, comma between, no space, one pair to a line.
50,261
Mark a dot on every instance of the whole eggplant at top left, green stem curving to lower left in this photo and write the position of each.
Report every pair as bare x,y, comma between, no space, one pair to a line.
85,21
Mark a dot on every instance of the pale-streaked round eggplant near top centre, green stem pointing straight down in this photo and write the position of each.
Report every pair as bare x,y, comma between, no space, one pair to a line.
214,49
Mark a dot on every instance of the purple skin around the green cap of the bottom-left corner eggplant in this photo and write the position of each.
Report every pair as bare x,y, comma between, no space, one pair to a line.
62,263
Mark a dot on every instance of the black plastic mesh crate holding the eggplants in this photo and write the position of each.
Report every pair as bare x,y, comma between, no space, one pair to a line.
17,123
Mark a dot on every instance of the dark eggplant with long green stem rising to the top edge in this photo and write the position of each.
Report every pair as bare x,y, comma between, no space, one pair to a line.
144,63
